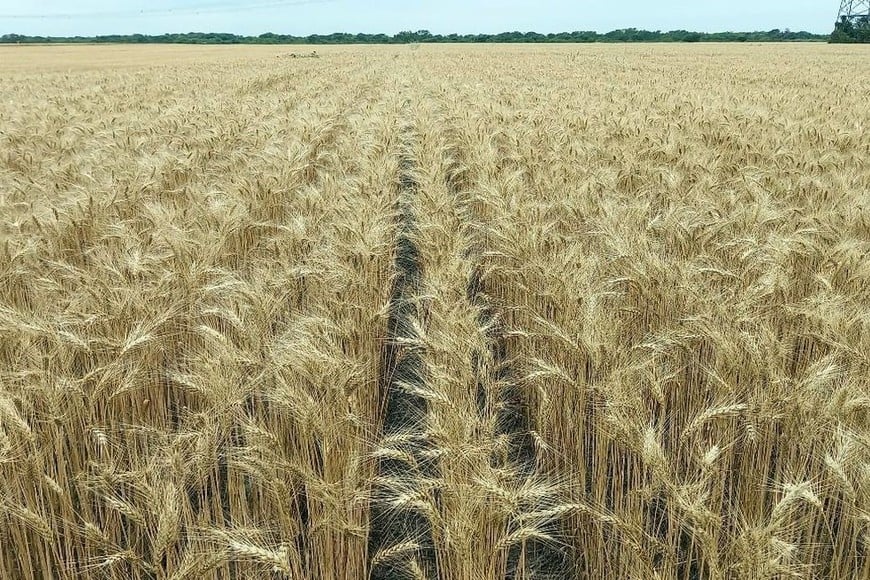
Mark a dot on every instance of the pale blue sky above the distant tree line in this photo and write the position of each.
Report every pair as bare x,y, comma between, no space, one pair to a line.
303,17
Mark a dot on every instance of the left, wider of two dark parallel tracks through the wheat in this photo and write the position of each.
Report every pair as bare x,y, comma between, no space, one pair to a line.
400,538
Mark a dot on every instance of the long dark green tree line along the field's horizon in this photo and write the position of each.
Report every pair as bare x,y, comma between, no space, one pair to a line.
407,37
